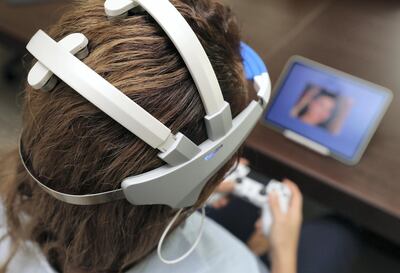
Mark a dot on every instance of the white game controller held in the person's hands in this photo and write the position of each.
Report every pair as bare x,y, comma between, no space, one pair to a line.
257,193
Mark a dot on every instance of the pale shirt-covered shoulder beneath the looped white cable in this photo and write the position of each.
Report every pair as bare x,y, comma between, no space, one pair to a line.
218,251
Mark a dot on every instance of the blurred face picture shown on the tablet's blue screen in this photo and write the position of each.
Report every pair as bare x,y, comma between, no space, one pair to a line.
321,107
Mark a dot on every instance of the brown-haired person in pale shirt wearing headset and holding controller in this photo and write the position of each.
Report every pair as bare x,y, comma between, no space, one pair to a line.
73,147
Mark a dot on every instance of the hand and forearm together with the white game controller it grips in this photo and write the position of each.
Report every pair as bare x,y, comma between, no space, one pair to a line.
281,212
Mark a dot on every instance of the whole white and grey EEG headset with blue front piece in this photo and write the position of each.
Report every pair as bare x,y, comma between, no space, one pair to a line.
188,167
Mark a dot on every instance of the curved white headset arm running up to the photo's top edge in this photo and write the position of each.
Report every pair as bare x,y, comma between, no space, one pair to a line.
186,42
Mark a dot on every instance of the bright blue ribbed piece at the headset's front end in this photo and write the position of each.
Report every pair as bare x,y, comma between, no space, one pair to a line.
252,62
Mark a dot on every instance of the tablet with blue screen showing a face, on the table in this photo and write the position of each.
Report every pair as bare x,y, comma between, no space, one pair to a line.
328,111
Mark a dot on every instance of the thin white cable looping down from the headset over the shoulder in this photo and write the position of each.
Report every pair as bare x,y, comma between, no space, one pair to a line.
184,256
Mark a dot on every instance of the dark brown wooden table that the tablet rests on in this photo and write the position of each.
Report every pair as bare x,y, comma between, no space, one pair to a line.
358,37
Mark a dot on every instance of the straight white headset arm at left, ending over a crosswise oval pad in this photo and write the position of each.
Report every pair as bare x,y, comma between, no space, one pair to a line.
99,91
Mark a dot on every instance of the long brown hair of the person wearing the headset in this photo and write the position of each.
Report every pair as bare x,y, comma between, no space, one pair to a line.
73,147
